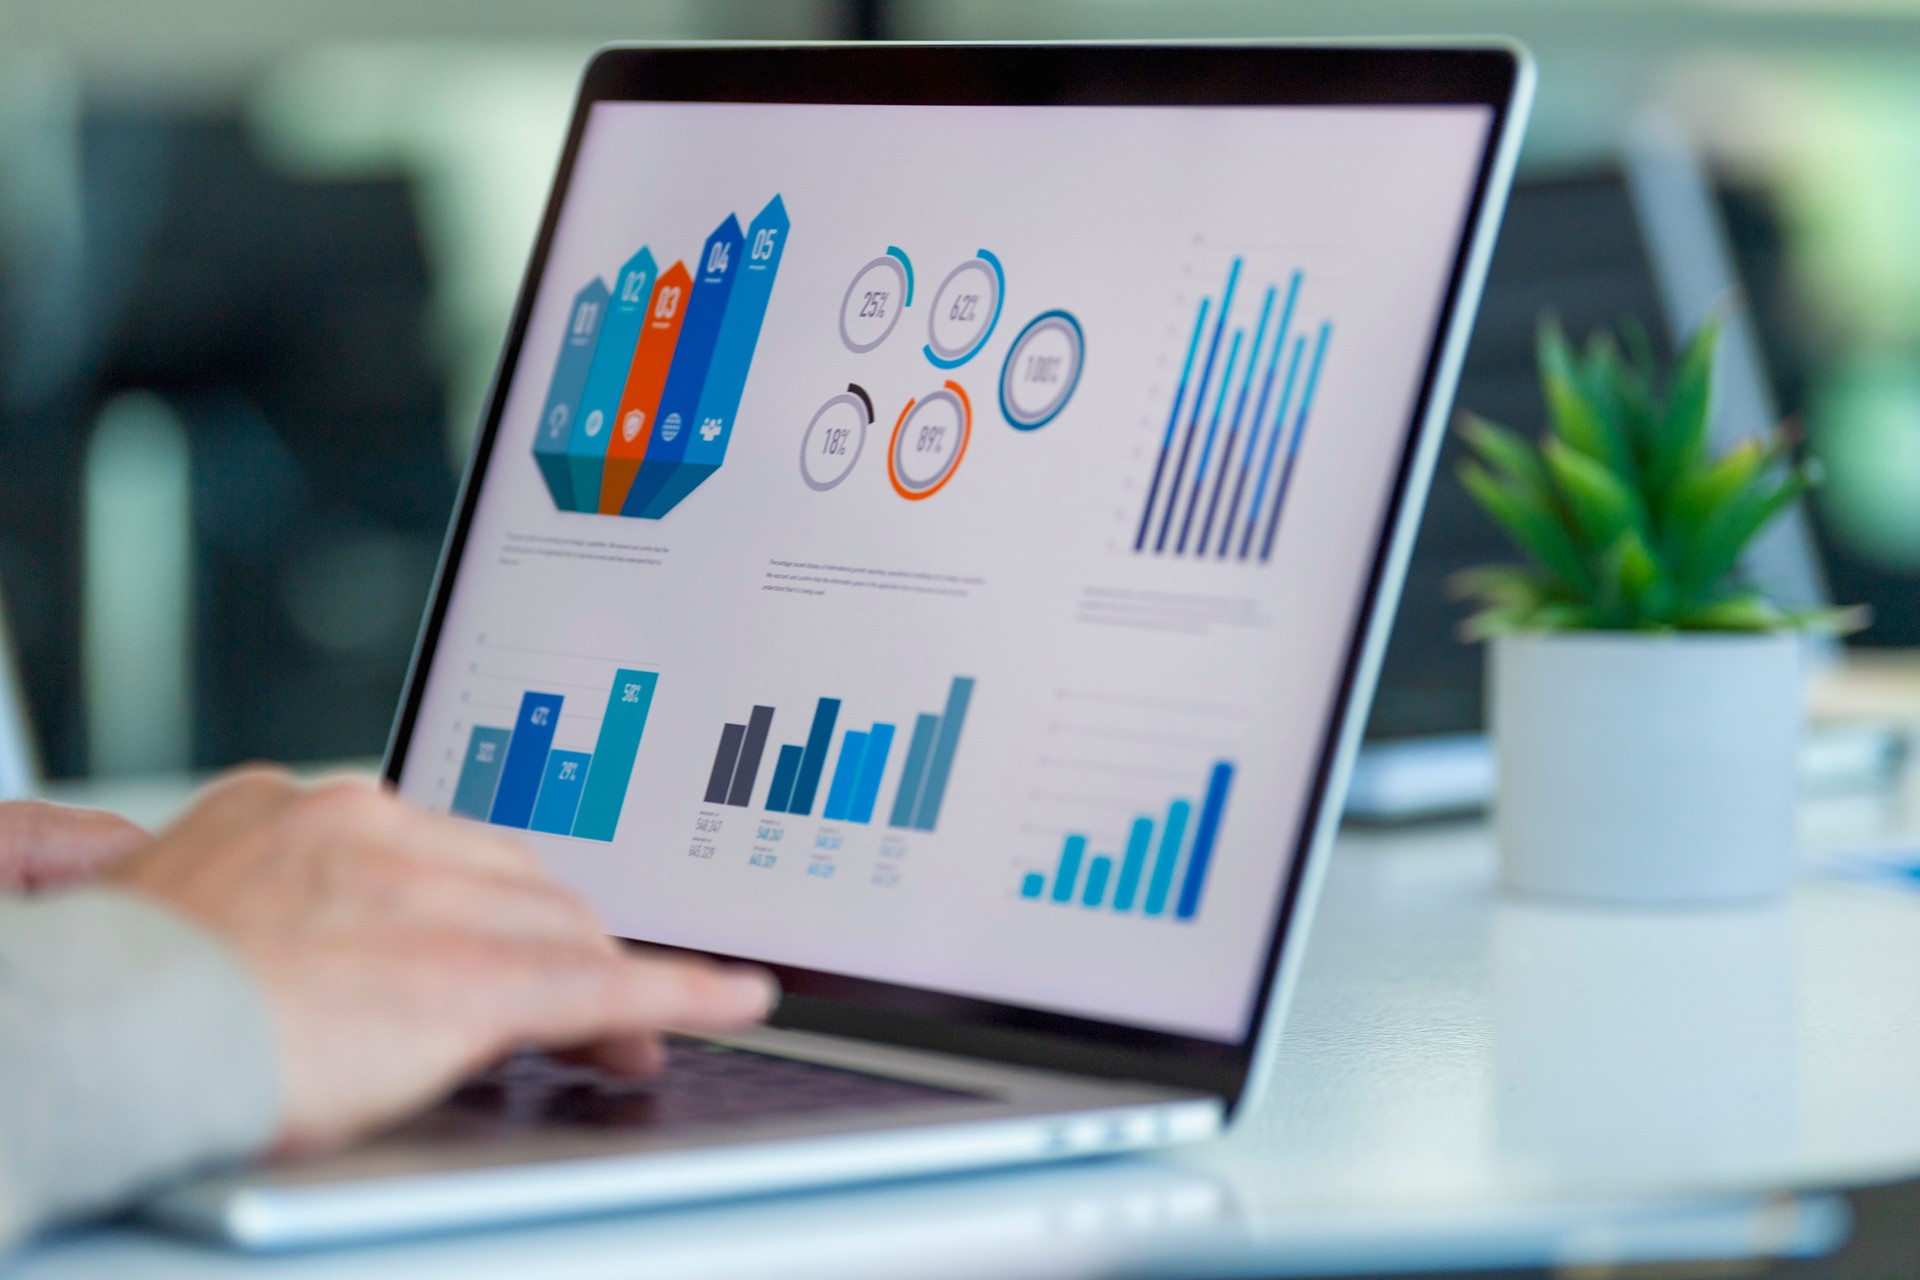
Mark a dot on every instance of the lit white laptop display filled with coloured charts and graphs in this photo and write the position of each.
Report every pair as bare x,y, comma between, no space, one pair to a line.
924,544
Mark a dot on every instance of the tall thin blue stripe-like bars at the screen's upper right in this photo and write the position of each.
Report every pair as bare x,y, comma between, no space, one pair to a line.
1237,417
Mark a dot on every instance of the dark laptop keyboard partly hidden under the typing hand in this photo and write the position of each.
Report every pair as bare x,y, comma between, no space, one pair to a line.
704,1085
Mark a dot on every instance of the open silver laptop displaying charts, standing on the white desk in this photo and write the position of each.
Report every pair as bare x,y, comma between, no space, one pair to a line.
934,534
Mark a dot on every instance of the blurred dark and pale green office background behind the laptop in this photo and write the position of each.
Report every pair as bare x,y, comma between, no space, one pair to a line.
256,262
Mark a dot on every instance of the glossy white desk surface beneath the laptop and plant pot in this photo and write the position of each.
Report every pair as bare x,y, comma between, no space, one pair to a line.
1449,1053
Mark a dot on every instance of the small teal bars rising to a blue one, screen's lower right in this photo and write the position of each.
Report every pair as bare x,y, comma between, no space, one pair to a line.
1159,872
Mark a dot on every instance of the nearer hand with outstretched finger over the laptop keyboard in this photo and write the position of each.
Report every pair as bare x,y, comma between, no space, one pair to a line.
402,951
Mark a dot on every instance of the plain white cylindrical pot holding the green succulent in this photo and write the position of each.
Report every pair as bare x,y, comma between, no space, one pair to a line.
1646,769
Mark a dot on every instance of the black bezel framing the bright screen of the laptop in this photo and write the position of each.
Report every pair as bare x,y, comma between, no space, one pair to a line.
1163,76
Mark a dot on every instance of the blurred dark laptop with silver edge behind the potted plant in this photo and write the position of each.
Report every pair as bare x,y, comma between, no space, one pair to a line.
1600,247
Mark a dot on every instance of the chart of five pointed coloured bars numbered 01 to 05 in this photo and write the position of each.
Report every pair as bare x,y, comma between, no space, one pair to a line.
650,377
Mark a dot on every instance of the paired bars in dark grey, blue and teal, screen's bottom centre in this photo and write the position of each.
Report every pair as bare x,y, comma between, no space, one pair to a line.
800,778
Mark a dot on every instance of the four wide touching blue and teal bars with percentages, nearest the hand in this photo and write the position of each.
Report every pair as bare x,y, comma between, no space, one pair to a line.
517,778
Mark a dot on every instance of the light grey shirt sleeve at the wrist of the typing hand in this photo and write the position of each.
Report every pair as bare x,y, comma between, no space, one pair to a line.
133,1049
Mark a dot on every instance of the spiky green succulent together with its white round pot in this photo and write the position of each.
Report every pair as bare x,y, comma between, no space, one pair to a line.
1644,698
